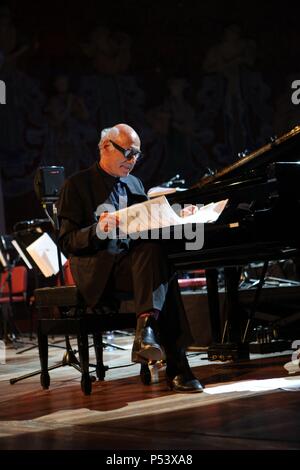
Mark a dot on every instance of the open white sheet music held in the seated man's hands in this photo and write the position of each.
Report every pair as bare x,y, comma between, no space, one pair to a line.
157,213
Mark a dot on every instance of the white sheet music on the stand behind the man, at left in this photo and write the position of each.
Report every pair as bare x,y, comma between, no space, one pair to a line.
44,253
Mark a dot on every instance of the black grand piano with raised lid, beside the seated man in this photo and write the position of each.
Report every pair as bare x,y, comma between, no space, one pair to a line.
258,224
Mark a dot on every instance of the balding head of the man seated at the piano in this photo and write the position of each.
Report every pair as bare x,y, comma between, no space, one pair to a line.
112,160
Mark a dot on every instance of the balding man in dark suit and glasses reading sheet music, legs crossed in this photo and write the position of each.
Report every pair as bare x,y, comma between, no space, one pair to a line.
103,265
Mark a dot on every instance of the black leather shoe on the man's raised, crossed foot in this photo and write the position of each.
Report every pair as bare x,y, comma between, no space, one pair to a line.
145,346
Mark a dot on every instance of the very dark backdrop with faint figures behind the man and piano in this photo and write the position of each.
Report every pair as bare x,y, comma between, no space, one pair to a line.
200,81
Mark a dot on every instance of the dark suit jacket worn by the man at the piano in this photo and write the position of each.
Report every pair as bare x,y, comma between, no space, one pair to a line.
91,259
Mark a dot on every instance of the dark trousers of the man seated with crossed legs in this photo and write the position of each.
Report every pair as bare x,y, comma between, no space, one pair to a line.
145,272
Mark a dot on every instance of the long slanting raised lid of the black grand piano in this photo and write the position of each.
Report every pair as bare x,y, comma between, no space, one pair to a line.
268,153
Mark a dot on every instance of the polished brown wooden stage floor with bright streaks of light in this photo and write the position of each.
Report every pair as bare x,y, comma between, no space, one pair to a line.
122,413
